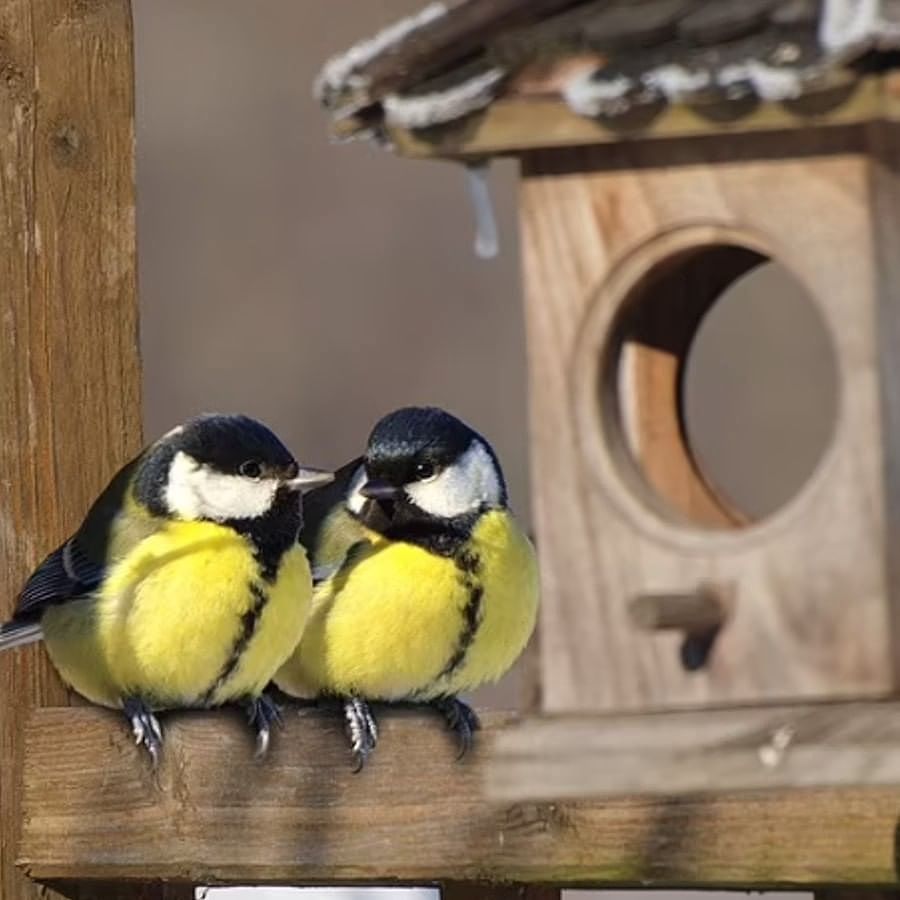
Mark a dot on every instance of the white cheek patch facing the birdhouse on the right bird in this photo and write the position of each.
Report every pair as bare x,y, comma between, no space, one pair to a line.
470,483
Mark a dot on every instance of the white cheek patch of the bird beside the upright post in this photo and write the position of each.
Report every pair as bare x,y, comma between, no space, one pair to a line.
195,491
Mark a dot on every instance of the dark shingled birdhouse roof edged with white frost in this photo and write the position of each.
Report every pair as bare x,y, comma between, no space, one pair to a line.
618,63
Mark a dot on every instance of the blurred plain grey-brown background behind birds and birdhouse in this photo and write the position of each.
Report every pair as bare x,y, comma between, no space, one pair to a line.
318,286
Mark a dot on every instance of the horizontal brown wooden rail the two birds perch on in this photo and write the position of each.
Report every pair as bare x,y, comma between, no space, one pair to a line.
213,814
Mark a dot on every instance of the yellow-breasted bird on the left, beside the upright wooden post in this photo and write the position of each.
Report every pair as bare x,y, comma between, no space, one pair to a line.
185,585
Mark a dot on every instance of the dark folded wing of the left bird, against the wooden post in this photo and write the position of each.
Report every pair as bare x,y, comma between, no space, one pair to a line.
79,565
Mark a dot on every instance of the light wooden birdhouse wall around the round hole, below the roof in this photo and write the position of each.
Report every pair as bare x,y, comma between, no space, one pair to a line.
625,248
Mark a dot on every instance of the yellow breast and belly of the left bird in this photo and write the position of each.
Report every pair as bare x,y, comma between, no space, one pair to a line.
183,619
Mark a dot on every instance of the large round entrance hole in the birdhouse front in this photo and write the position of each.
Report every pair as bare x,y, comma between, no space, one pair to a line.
719,385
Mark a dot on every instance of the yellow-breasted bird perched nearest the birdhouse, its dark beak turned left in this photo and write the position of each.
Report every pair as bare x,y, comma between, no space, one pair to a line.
426,586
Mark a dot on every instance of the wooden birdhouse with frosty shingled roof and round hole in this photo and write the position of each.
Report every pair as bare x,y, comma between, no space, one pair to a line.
668,148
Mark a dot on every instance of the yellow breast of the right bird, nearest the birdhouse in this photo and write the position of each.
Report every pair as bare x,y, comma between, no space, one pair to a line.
388,625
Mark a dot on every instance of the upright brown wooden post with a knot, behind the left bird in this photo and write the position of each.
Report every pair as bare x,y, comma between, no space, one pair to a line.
69,373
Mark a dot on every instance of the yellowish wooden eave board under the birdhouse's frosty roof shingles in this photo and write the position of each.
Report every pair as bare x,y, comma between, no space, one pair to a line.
524,123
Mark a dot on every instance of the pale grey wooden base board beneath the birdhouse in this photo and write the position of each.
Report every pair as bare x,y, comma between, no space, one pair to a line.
665,754
